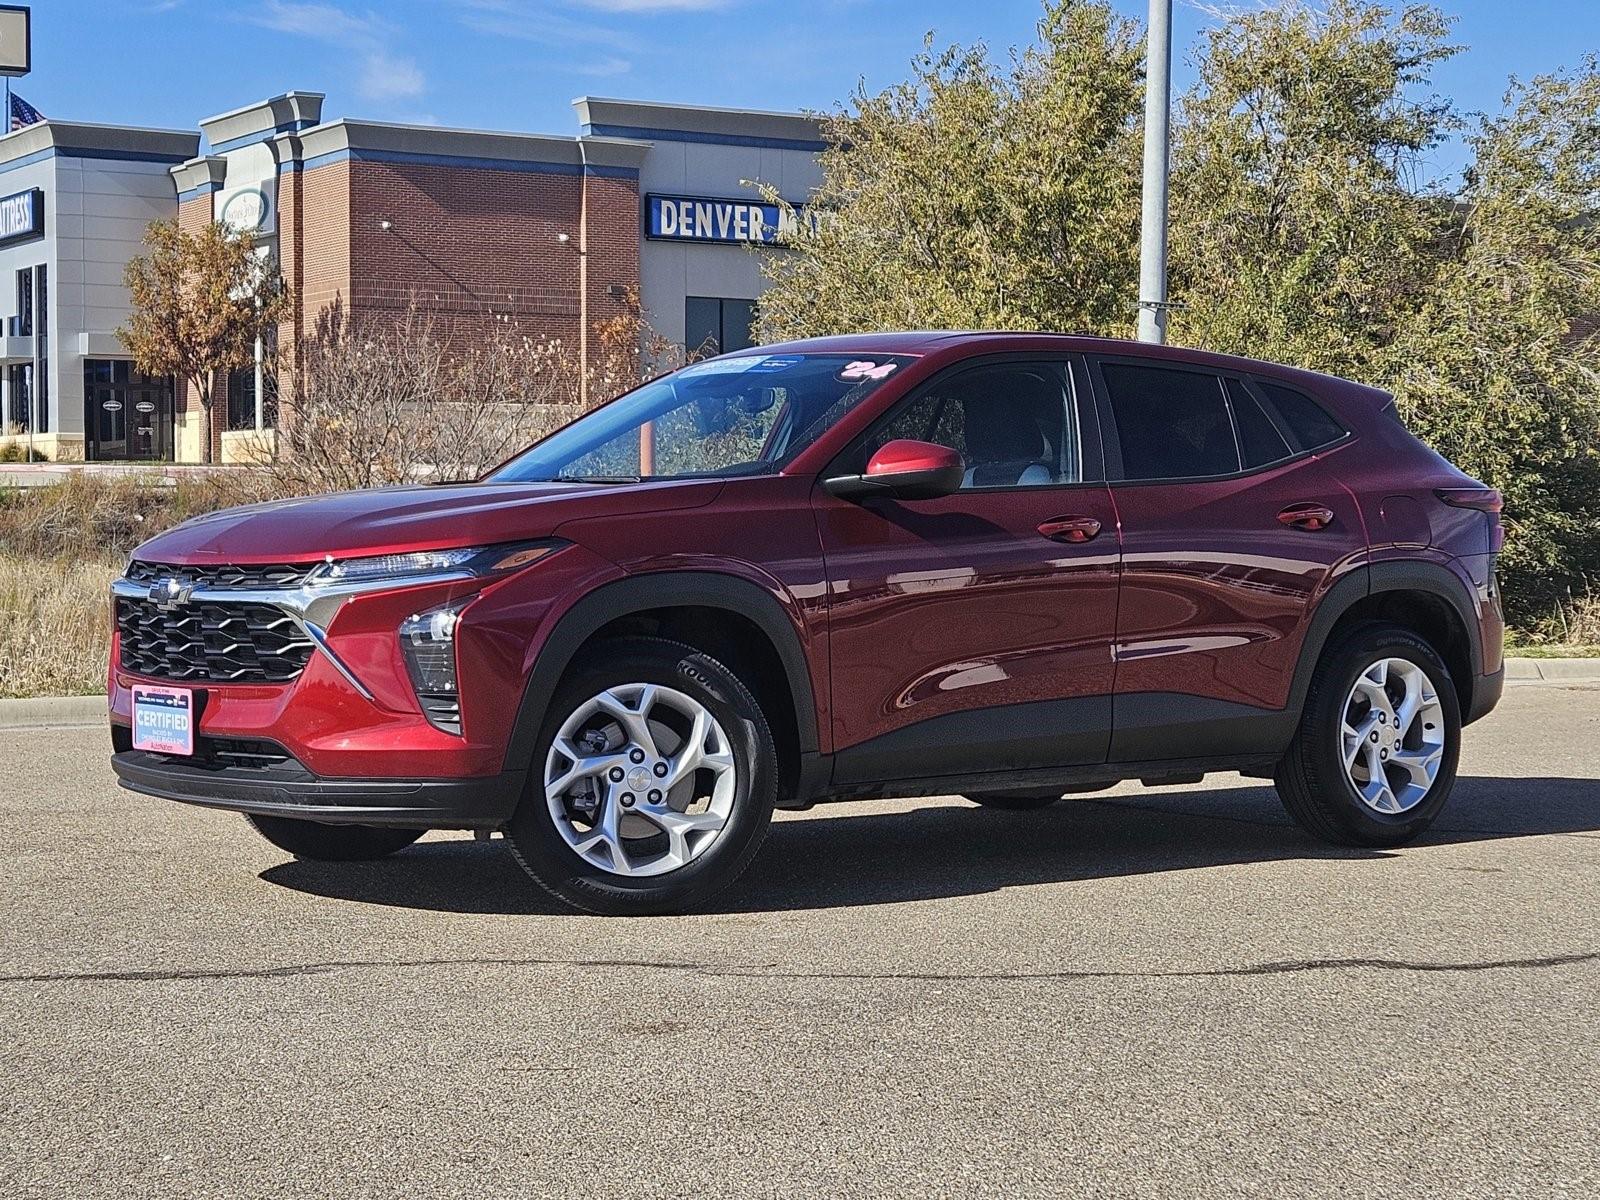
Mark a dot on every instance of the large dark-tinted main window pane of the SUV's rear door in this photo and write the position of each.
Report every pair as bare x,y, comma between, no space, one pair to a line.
1170,423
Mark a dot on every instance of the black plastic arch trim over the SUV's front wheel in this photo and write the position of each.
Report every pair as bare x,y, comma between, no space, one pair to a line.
644,593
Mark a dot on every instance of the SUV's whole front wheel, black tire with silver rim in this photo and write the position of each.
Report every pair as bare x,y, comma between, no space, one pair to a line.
634,866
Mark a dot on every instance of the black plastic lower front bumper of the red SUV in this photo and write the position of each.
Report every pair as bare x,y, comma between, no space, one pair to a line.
290,791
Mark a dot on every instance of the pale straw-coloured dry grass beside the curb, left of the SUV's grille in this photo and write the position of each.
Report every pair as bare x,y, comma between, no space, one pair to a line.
55,625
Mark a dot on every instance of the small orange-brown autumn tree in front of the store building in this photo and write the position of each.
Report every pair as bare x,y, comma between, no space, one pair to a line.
201,302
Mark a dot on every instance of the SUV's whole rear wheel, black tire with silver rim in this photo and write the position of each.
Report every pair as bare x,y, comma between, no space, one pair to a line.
1327,799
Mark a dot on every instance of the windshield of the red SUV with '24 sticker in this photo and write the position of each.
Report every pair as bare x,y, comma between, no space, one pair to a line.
738,415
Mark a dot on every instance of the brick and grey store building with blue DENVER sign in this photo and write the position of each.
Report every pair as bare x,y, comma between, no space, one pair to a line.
551,234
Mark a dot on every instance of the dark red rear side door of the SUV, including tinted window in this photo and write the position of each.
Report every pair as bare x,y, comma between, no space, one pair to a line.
1233,529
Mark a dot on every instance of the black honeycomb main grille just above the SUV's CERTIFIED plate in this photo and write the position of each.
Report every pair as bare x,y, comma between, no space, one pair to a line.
212,642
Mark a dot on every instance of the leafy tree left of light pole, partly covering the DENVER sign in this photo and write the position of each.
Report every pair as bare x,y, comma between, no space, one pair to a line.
977,196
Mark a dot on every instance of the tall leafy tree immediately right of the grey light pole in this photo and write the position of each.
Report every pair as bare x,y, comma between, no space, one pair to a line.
1298,233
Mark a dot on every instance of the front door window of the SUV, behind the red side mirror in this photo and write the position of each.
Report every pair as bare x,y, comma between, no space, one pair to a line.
1012,425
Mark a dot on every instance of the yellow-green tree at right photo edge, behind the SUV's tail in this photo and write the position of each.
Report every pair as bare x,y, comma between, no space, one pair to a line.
1498,367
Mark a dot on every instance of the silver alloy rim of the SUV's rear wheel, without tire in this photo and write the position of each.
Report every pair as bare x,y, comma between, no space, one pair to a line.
1393,737
